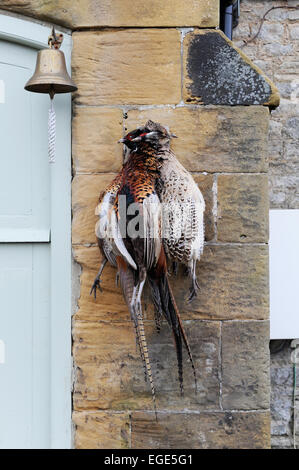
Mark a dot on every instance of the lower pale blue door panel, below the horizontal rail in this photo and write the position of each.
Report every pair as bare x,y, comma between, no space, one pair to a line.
24,330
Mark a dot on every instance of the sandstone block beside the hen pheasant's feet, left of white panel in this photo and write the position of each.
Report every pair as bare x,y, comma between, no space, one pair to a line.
233,284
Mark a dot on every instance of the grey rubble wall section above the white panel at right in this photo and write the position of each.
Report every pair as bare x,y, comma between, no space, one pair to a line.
275,51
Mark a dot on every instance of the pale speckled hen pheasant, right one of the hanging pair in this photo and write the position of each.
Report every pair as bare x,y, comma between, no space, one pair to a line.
183,203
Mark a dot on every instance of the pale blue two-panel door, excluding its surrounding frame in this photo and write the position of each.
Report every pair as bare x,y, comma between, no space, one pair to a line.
24,254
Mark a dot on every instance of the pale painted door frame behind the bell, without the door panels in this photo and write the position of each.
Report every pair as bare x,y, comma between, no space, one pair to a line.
30,33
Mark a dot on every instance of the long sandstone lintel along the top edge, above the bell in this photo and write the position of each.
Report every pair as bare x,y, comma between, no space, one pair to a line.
88,13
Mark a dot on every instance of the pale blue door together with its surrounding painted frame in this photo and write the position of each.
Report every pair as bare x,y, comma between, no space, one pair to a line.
35,331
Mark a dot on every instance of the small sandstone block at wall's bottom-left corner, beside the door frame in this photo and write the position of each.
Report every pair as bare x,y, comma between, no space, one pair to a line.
101,430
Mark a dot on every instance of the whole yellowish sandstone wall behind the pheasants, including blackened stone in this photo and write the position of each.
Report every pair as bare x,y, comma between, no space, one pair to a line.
128,72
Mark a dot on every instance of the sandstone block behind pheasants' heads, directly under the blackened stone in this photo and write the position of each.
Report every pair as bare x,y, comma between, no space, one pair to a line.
214,139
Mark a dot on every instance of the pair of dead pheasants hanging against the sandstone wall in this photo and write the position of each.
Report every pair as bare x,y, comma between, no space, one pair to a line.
168,228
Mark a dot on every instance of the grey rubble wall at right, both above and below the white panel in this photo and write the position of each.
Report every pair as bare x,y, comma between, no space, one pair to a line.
275,51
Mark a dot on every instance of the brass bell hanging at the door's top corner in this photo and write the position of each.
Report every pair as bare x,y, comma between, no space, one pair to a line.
50,74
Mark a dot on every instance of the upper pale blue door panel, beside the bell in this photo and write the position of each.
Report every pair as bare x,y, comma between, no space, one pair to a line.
24,195
